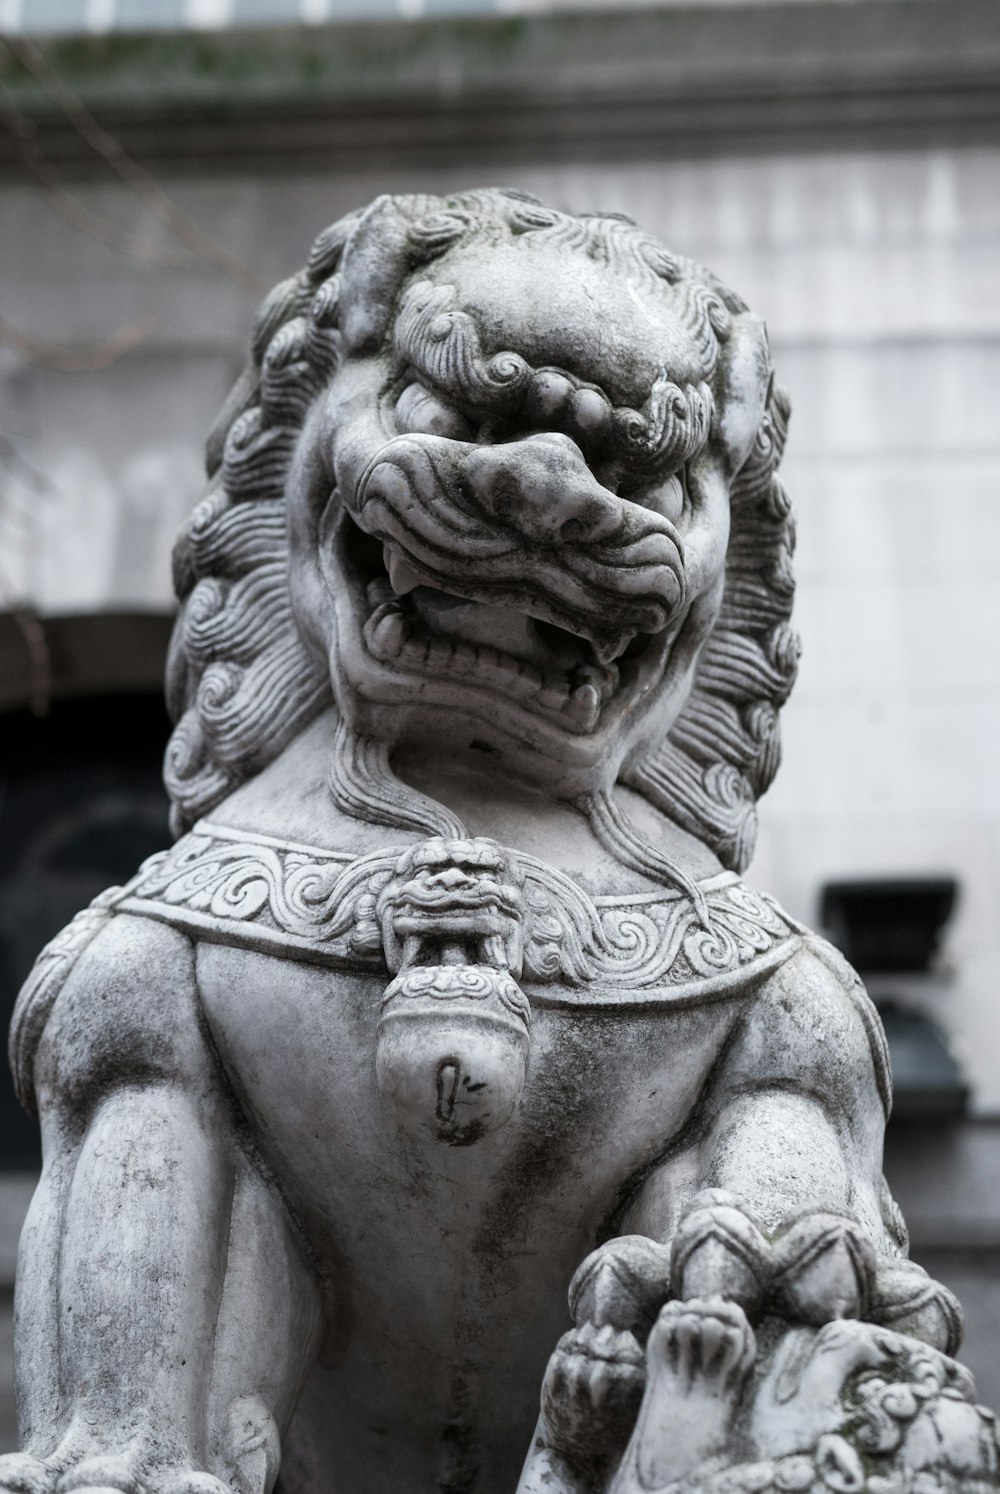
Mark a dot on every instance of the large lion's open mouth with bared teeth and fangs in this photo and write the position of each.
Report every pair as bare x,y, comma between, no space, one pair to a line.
425,631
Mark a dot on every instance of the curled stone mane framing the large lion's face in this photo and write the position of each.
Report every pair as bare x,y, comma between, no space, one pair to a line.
243,681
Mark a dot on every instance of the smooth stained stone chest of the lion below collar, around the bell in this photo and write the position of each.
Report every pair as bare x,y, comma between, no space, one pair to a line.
448,1266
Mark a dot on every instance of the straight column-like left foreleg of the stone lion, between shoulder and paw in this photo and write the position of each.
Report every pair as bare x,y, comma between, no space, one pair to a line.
141,1275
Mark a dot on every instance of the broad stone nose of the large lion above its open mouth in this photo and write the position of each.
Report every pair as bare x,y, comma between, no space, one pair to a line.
543,488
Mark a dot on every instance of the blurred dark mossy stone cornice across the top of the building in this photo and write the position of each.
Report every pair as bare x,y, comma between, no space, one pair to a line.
594,86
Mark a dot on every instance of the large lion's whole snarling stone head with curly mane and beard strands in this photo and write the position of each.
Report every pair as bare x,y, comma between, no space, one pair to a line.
497,477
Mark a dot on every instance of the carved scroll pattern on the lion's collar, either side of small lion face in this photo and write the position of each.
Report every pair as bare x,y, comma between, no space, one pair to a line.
322,906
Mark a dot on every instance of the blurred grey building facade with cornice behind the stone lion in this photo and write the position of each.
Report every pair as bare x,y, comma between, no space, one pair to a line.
838,162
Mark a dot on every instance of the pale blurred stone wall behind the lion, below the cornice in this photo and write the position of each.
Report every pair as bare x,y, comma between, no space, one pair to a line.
880,277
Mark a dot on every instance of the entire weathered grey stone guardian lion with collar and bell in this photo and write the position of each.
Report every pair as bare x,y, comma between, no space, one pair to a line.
443,1112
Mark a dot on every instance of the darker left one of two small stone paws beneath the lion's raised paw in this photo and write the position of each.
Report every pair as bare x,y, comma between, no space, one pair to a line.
591,1393
